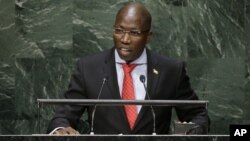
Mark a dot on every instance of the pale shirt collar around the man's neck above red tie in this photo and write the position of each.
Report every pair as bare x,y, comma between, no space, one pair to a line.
140,60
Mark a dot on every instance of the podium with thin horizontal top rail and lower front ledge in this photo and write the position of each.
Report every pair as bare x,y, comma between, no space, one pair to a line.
98,137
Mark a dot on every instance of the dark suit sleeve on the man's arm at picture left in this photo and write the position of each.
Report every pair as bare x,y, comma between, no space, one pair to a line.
69,115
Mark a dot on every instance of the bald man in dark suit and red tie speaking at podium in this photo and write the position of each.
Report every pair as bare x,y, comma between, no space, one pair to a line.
166,79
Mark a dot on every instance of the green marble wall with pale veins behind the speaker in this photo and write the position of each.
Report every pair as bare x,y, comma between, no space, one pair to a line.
41,39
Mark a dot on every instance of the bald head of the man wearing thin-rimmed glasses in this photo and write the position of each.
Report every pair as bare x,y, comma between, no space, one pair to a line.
132,31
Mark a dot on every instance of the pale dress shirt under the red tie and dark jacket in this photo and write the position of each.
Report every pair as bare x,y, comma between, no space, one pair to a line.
140,69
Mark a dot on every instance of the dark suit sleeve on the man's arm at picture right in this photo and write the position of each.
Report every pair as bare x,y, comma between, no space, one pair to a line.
190,113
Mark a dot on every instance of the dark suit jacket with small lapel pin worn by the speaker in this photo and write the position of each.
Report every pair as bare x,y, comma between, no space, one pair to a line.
171,83
